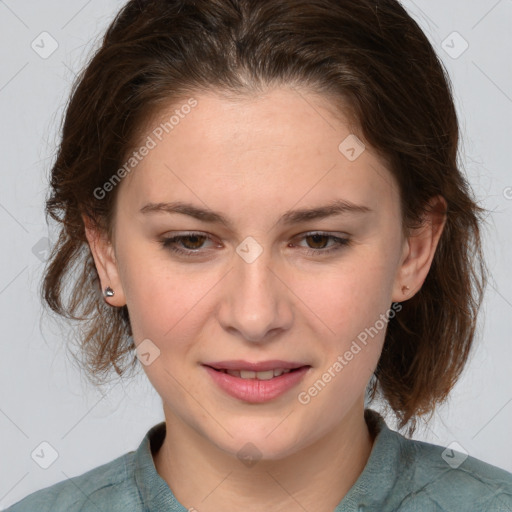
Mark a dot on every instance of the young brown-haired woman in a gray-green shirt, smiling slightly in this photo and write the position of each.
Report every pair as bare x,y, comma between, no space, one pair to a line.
269,202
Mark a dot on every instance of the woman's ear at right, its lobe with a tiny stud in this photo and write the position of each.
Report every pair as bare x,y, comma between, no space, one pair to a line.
419,250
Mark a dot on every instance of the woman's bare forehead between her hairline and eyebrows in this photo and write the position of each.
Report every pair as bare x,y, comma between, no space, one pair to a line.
283,145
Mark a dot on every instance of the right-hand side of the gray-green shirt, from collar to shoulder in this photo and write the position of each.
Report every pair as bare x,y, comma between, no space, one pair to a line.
407,475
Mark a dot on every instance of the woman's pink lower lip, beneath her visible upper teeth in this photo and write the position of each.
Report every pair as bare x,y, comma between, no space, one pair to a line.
257,391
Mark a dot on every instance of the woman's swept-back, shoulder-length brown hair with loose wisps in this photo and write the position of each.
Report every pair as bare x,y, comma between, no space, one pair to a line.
369,56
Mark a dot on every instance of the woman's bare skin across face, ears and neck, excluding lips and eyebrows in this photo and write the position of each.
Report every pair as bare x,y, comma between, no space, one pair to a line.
252,160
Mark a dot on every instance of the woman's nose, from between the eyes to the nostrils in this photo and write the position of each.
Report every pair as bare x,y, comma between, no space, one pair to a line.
256,303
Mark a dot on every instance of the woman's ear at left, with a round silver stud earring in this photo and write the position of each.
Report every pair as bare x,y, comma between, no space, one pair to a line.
105,261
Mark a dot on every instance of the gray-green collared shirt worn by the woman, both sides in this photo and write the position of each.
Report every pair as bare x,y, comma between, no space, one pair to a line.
401,475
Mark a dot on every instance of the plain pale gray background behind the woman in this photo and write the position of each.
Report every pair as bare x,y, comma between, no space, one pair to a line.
44,398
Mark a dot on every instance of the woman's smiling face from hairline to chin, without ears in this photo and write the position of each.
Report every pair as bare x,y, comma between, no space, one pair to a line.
267,283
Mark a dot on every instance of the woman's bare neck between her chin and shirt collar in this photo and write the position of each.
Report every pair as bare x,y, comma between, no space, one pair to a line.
315,478
